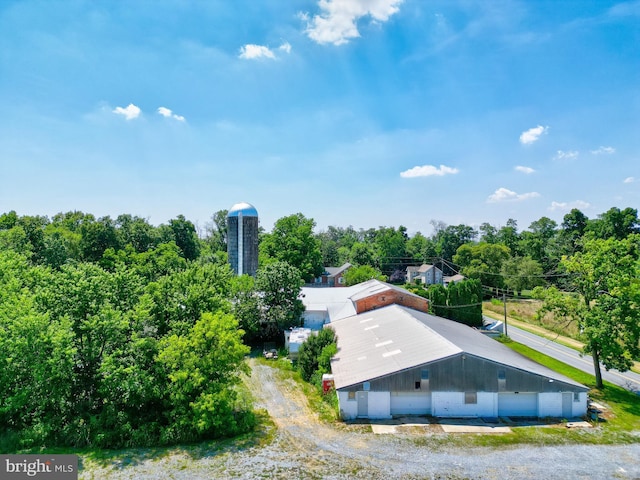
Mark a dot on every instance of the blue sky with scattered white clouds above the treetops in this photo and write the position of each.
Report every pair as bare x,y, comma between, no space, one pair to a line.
352,112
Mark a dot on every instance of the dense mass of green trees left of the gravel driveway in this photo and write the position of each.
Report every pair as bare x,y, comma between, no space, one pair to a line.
114,334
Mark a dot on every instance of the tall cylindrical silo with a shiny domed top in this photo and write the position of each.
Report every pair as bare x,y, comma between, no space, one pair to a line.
242,239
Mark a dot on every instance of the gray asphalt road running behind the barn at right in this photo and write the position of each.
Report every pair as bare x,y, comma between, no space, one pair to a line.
628,380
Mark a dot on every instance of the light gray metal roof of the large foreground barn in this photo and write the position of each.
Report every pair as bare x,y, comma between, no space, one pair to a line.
392,339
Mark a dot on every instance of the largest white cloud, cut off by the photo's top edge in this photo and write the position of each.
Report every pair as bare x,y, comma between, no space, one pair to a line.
337,22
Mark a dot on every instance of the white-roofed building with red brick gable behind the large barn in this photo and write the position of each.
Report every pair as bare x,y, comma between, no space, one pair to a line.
325,305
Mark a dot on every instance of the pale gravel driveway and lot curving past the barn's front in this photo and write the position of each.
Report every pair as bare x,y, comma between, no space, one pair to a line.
304,448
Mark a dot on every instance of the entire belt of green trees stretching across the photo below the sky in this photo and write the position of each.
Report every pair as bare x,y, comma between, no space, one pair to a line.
119,333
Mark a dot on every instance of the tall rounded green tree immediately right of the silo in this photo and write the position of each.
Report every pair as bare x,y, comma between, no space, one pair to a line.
292,241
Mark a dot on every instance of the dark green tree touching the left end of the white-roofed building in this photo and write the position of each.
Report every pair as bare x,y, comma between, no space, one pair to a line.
279,285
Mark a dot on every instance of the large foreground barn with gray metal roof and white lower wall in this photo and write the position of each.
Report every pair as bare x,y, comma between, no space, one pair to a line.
399,361
